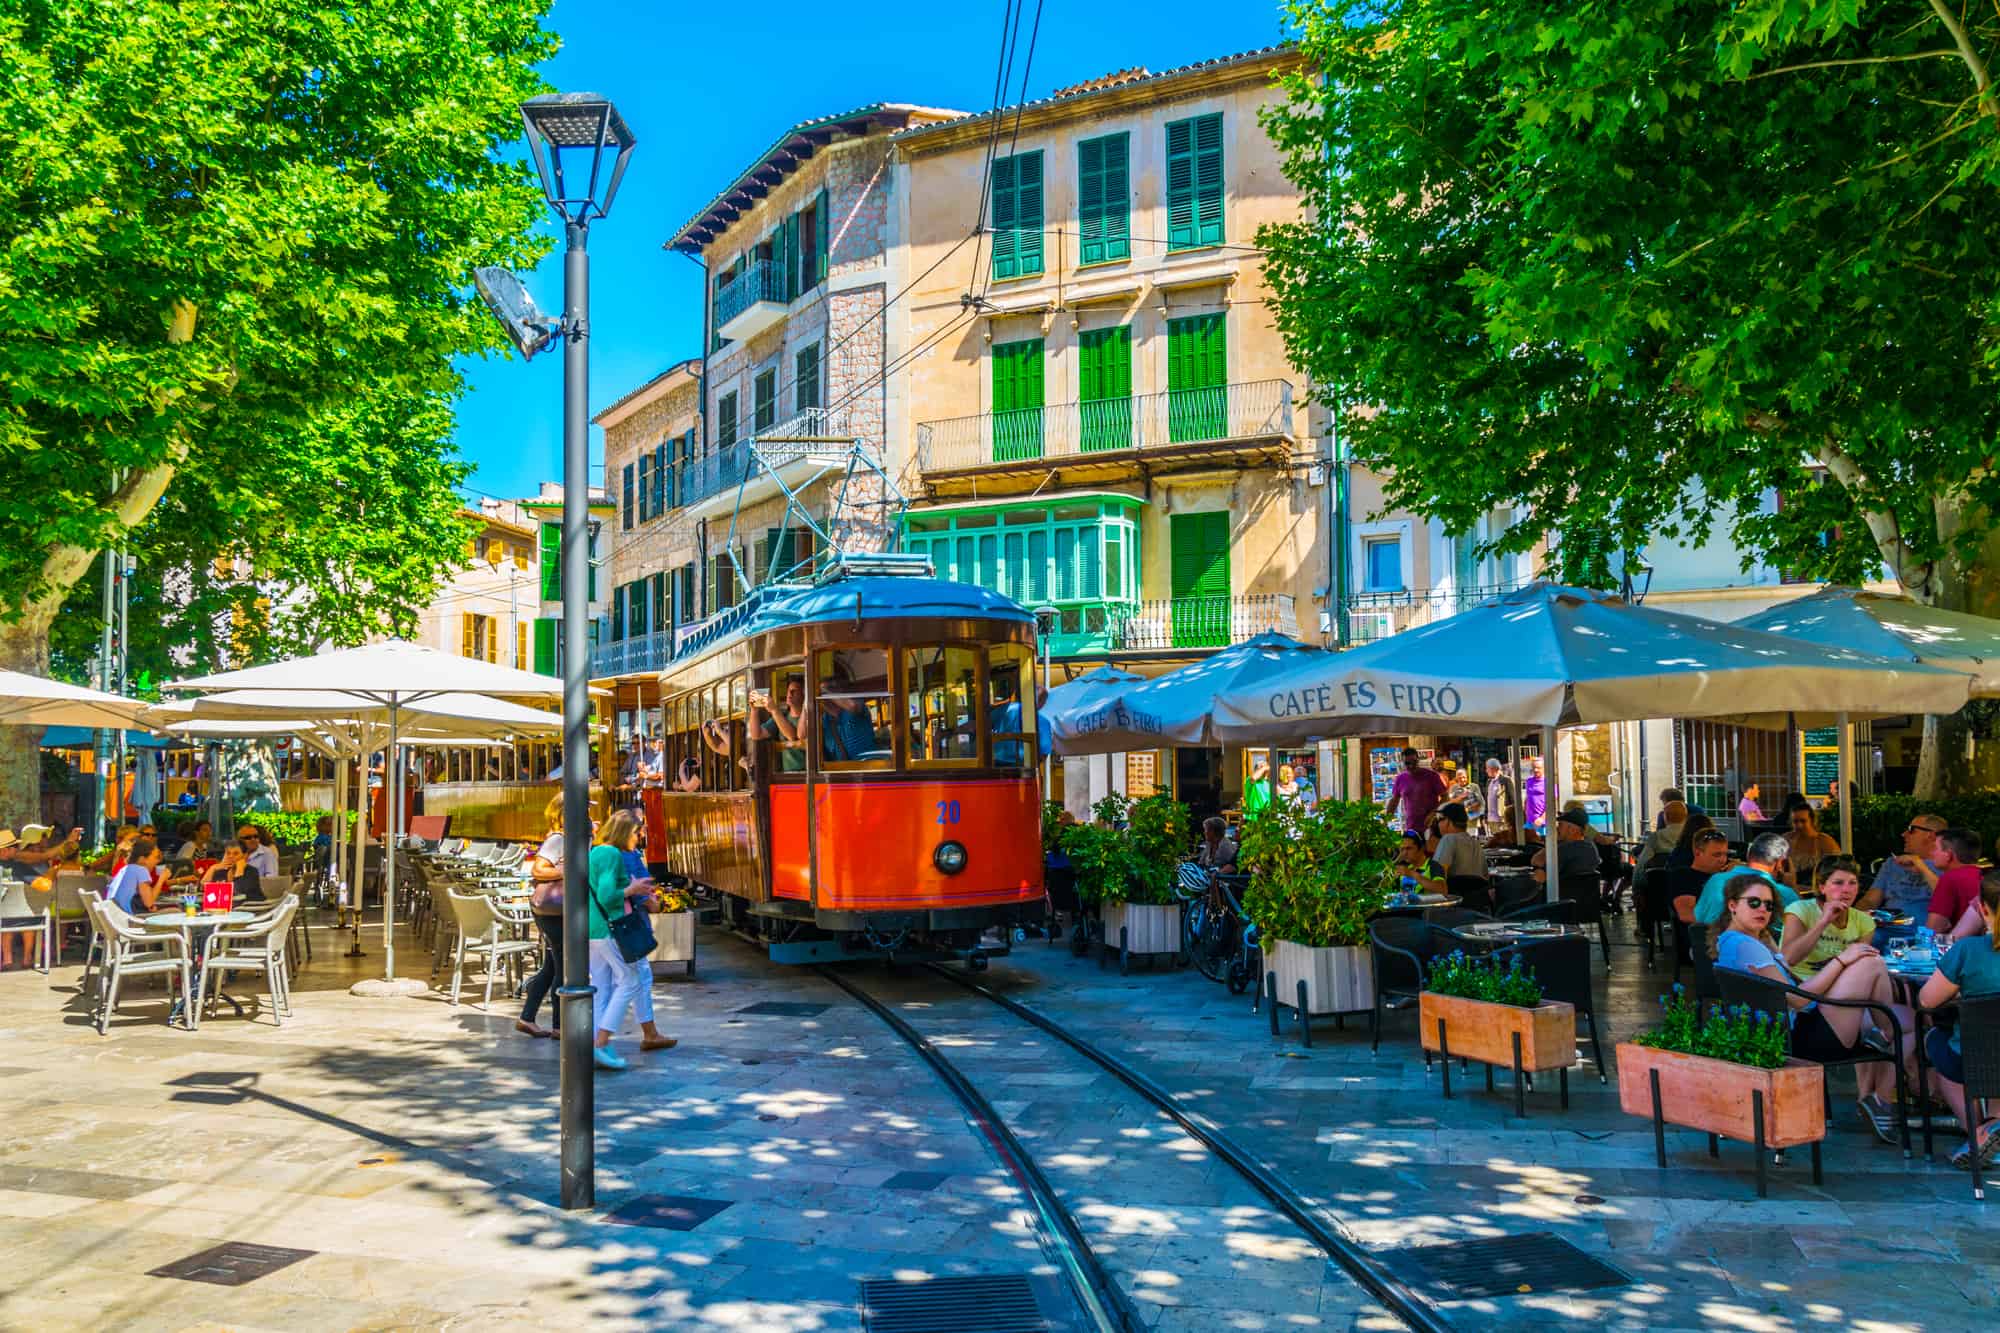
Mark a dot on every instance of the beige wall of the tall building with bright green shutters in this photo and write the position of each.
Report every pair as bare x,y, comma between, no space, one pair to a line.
959,313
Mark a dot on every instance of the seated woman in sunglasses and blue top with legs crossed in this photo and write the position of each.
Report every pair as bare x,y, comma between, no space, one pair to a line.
1819,1034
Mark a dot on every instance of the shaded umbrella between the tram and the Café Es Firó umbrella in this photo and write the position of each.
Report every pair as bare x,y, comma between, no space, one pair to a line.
1175,710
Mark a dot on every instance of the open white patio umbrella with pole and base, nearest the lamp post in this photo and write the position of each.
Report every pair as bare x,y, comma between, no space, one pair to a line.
371,688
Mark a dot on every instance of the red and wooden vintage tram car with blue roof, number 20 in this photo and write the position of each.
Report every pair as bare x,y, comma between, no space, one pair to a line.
859,768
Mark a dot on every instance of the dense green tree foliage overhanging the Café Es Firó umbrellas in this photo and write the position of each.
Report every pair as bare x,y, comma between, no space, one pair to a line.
1635,265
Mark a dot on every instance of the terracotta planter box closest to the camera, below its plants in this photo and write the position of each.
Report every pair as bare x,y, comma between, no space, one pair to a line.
1719,1098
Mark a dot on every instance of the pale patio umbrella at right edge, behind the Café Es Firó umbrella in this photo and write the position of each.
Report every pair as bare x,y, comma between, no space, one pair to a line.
1893,627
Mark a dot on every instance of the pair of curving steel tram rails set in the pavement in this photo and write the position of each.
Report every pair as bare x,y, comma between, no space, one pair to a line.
1097,1290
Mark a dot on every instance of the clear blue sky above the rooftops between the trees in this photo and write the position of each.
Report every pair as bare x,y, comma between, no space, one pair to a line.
705,91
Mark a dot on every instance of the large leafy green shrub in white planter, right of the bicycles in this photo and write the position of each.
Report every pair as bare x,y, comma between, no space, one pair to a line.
1317,876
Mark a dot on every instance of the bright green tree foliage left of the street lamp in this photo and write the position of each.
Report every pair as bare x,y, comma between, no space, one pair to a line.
235,243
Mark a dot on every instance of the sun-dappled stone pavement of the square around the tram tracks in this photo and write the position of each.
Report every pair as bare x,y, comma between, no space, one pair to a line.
411,1146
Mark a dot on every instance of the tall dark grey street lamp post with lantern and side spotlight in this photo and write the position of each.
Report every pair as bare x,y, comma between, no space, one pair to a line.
569,137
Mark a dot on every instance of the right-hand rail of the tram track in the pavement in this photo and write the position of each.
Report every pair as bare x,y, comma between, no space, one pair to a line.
1375,1278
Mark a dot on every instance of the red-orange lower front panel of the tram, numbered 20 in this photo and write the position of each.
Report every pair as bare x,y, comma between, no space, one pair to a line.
875,844
